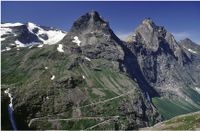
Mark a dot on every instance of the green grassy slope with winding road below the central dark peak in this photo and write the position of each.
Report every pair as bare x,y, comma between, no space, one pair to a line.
101,92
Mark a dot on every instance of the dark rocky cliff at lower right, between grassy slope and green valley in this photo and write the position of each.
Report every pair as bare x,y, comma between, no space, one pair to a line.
140,113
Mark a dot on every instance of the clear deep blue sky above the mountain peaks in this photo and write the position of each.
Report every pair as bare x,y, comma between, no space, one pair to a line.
180,18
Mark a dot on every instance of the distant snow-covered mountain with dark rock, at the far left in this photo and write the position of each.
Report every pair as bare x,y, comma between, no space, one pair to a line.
22,35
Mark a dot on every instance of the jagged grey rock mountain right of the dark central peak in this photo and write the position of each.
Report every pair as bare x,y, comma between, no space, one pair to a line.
163,62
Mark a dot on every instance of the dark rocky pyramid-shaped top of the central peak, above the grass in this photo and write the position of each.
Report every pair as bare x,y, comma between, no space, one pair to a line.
97,39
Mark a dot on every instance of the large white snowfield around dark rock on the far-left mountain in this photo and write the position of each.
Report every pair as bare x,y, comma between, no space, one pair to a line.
46,36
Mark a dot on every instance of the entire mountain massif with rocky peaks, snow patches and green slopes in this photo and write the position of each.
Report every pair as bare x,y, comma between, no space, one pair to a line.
88,78
